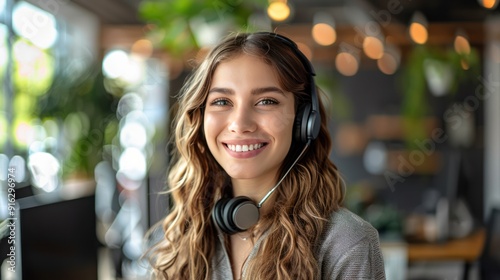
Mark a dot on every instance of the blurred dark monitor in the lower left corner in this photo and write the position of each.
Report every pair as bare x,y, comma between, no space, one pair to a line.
58,239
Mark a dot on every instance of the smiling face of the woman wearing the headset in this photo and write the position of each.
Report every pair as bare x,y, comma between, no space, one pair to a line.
248,119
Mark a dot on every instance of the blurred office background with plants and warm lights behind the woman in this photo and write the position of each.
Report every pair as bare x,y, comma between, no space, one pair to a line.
412,89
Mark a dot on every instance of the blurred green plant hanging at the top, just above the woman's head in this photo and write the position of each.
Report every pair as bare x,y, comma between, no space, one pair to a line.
175,23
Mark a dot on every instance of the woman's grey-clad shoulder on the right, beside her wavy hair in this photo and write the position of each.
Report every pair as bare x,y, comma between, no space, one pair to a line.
349,247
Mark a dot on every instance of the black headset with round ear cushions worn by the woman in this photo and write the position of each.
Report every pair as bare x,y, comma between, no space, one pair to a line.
238,214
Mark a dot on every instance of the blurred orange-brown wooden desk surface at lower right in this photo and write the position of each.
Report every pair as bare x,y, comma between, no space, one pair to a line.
467,249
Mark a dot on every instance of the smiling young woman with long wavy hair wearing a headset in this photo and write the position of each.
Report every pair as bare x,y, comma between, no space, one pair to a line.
254,193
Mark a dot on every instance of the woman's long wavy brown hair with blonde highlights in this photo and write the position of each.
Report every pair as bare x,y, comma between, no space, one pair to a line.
303,202
